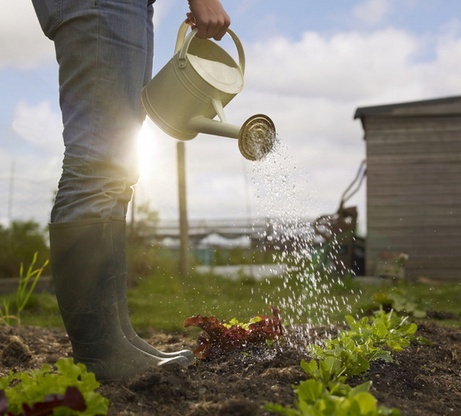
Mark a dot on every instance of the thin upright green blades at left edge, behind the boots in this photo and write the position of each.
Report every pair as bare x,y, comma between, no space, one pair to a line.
27,282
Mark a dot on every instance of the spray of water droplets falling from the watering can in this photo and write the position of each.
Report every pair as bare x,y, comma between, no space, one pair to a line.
310,266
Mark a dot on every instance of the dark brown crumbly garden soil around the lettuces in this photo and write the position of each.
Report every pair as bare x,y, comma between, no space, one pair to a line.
423,380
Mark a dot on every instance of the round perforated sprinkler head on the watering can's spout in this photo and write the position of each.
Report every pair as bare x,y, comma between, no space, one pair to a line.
257,137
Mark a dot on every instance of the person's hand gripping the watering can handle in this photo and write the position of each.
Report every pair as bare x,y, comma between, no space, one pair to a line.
209,17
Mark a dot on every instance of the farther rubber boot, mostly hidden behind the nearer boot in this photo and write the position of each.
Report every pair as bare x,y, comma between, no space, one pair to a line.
119,232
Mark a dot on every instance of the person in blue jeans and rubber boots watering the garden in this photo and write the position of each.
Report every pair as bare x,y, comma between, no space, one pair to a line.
104,49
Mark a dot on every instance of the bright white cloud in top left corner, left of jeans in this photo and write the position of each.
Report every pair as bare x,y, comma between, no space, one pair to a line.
22,42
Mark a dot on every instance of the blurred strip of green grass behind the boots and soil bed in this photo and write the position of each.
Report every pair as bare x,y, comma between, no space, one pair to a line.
162,300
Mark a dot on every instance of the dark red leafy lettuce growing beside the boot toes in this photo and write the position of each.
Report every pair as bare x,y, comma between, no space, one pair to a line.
219,337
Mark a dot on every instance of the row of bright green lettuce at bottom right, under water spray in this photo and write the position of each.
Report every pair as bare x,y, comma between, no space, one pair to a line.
349,354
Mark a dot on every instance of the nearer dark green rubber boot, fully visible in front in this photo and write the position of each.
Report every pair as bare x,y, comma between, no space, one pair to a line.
84,275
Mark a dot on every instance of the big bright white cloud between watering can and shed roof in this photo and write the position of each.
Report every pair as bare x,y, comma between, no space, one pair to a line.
345,66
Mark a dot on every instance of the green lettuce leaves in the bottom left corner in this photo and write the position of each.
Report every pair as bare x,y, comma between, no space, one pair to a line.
31,388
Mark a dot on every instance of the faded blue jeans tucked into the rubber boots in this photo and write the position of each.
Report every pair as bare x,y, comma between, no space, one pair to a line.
104,49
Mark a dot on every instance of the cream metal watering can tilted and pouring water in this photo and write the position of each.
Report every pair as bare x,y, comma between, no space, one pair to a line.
186,95
